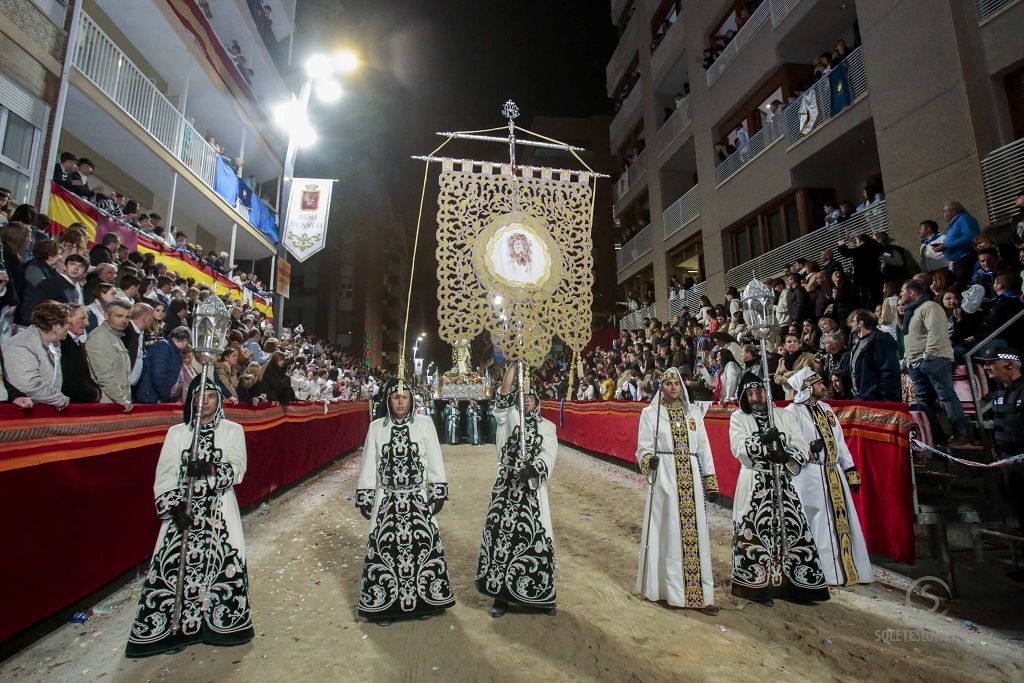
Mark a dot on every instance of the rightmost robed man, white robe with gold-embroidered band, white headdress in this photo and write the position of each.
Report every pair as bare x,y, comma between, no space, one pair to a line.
826,483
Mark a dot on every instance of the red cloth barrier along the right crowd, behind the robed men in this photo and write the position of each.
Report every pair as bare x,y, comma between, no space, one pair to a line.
877,434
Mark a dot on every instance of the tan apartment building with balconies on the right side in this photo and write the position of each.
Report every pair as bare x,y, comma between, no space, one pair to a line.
927,105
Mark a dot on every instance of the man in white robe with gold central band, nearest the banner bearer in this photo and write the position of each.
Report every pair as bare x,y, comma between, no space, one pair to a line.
675,561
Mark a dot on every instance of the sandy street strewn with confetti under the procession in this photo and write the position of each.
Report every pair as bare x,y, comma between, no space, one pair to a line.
306,558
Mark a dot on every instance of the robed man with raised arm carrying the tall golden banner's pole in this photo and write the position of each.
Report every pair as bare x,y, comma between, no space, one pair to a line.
518,551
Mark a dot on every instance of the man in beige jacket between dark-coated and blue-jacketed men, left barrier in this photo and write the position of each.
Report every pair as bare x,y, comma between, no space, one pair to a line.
108,357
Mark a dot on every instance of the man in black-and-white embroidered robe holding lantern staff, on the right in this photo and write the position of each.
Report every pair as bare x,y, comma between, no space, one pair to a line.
774,552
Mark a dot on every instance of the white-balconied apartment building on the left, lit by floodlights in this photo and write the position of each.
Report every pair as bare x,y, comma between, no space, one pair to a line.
162,96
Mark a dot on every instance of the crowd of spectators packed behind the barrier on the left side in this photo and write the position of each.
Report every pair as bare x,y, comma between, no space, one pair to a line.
108,325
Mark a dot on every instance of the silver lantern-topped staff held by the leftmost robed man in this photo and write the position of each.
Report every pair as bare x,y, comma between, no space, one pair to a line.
209,339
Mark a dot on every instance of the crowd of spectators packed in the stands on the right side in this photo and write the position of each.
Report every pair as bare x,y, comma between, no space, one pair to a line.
891,328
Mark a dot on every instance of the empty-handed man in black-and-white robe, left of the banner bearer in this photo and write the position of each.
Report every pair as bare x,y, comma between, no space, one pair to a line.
402,489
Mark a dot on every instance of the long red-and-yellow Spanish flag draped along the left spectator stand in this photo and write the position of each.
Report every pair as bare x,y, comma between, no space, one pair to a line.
67,208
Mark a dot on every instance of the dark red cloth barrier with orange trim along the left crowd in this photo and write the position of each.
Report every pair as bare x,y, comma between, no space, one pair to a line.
76,489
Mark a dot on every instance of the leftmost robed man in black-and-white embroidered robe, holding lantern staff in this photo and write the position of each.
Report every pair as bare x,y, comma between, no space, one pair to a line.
216,602
